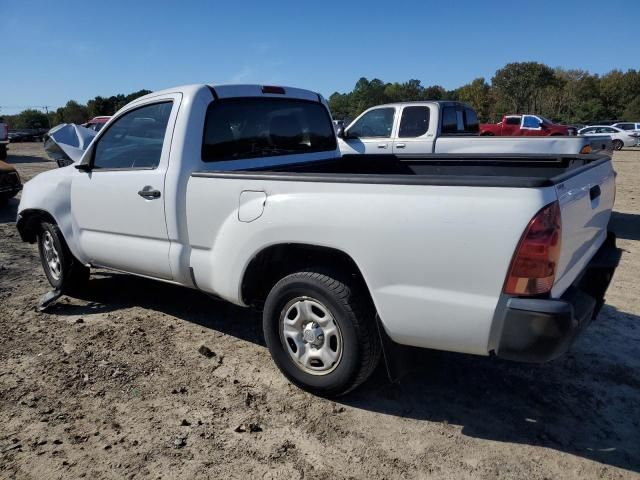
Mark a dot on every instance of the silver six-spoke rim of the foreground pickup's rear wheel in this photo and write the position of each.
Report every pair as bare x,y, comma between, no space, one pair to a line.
311,336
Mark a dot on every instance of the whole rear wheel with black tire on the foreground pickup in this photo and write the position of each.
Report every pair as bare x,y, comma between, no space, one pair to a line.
348,332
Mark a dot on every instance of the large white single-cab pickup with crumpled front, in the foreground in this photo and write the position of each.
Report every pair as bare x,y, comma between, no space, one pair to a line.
241,192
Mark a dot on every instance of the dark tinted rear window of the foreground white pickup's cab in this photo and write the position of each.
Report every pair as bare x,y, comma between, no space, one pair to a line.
240,128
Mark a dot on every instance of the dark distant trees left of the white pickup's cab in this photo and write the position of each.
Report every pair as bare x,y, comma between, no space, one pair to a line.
72,112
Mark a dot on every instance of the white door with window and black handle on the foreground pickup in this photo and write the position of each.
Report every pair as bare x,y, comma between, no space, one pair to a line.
119,205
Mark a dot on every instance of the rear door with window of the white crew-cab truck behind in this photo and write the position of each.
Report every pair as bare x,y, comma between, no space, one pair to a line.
414,135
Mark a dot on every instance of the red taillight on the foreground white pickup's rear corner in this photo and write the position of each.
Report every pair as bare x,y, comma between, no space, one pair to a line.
534,263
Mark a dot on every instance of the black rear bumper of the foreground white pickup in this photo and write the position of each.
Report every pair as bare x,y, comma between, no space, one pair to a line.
538,330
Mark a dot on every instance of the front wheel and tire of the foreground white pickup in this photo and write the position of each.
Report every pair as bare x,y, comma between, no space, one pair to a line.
64,272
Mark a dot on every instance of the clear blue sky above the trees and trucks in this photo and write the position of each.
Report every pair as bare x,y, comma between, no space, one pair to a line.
54,51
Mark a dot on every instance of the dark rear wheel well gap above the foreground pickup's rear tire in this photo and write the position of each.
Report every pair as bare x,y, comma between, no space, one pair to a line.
275,262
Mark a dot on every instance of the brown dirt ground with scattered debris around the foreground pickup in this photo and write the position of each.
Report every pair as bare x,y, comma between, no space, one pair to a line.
113,386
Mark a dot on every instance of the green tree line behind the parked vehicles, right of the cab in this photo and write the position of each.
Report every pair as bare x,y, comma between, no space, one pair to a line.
567,96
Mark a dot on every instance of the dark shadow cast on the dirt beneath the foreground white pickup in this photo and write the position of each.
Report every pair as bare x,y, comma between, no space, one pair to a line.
585,404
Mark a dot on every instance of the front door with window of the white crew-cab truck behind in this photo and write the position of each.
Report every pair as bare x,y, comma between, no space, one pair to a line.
370,133
